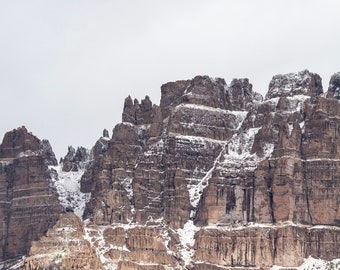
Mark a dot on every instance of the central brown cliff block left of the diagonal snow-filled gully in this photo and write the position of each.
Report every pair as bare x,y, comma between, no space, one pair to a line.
194,122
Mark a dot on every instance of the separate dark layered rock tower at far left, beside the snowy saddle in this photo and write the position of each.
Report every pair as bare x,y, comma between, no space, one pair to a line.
28,204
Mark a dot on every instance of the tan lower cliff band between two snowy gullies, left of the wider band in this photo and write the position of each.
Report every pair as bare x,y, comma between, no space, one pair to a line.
136,247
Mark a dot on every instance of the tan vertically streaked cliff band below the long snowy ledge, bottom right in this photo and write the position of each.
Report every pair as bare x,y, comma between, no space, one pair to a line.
264,246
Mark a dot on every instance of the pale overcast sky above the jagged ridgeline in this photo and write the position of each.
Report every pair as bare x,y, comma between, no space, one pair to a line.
66,66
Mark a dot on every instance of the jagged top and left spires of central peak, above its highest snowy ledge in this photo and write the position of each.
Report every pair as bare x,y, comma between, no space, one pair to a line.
200,91
